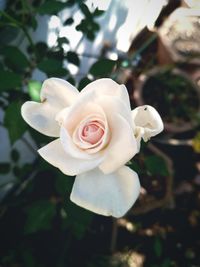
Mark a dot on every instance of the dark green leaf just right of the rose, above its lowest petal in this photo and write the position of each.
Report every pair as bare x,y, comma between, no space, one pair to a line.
156,165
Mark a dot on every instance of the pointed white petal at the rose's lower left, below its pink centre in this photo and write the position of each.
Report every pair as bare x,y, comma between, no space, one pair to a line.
55,155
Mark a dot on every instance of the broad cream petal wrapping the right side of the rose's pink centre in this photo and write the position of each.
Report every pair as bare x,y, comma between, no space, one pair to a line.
122,146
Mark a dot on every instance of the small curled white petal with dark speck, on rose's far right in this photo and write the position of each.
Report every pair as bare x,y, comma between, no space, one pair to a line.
147,121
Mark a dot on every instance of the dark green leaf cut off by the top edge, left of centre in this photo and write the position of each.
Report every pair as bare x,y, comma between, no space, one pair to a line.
51,7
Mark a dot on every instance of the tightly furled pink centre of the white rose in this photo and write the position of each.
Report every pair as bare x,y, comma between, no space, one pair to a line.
92,132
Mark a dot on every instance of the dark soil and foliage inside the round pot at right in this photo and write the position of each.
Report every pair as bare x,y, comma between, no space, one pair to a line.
165,89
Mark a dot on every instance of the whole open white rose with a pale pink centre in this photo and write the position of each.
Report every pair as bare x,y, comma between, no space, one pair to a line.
97,135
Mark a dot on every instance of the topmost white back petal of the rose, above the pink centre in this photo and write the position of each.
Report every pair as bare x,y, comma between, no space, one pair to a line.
107,87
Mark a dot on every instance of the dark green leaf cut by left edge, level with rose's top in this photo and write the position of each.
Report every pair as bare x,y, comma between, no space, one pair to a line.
9,80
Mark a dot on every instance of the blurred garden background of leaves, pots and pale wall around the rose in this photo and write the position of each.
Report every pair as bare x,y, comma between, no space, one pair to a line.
151,46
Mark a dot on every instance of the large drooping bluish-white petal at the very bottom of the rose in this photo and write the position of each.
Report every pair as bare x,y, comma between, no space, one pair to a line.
112,194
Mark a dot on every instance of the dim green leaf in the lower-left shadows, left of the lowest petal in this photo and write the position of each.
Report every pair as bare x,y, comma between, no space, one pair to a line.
39,216
